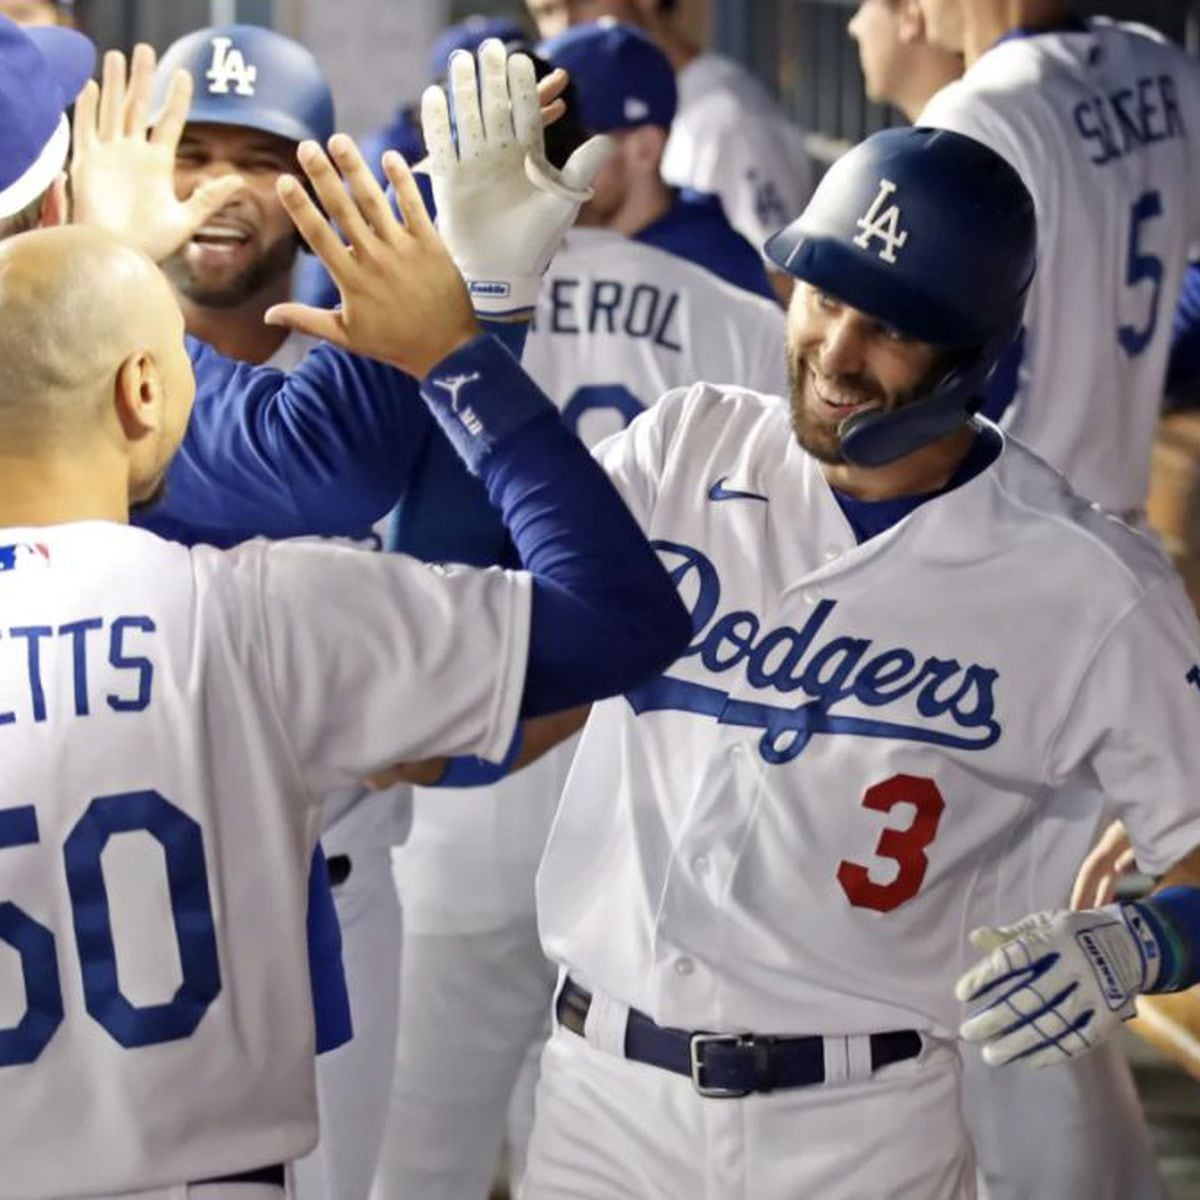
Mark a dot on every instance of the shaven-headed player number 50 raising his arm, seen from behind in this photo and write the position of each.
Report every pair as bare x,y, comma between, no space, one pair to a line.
148,697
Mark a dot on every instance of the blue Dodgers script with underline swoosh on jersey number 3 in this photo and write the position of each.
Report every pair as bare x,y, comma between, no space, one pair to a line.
829,673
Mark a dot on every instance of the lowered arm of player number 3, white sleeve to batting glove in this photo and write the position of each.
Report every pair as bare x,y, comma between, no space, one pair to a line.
1058,983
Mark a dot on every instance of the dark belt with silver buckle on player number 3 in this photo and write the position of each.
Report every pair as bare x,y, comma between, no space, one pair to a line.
728,1066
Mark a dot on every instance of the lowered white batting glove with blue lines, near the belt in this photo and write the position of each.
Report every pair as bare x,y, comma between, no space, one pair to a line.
1057,985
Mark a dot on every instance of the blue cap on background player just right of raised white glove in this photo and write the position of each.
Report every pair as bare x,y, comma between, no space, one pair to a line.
622,80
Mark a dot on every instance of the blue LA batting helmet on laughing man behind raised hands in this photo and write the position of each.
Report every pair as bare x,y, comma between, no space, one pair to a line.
249,76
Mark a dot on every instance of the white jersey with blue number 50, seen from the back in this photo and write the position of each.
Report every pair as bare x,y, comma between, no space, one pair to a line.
170,718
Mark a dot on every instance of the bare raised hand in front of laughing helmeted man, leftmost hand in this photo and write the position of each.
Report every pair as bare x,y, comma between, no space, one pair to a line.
123,172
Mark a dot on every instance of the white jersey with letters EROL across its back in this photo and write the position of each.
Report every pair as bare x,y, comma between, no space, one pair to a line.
619,325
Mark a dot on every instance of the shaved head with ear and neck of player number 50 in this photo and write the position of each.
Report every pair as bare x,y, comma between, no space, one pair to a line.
97,386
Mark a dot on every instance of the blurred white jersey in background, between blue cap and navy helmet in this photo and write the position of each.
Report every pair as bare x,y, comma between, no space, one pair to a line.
730,137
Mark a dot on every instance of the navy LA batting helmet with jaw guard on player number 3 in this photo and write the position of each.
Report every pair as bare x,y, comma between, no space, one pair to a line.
933,235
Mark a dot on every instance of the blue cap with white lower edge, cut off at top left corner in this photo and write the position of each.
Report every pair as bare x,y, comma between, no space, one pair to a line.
41,73
